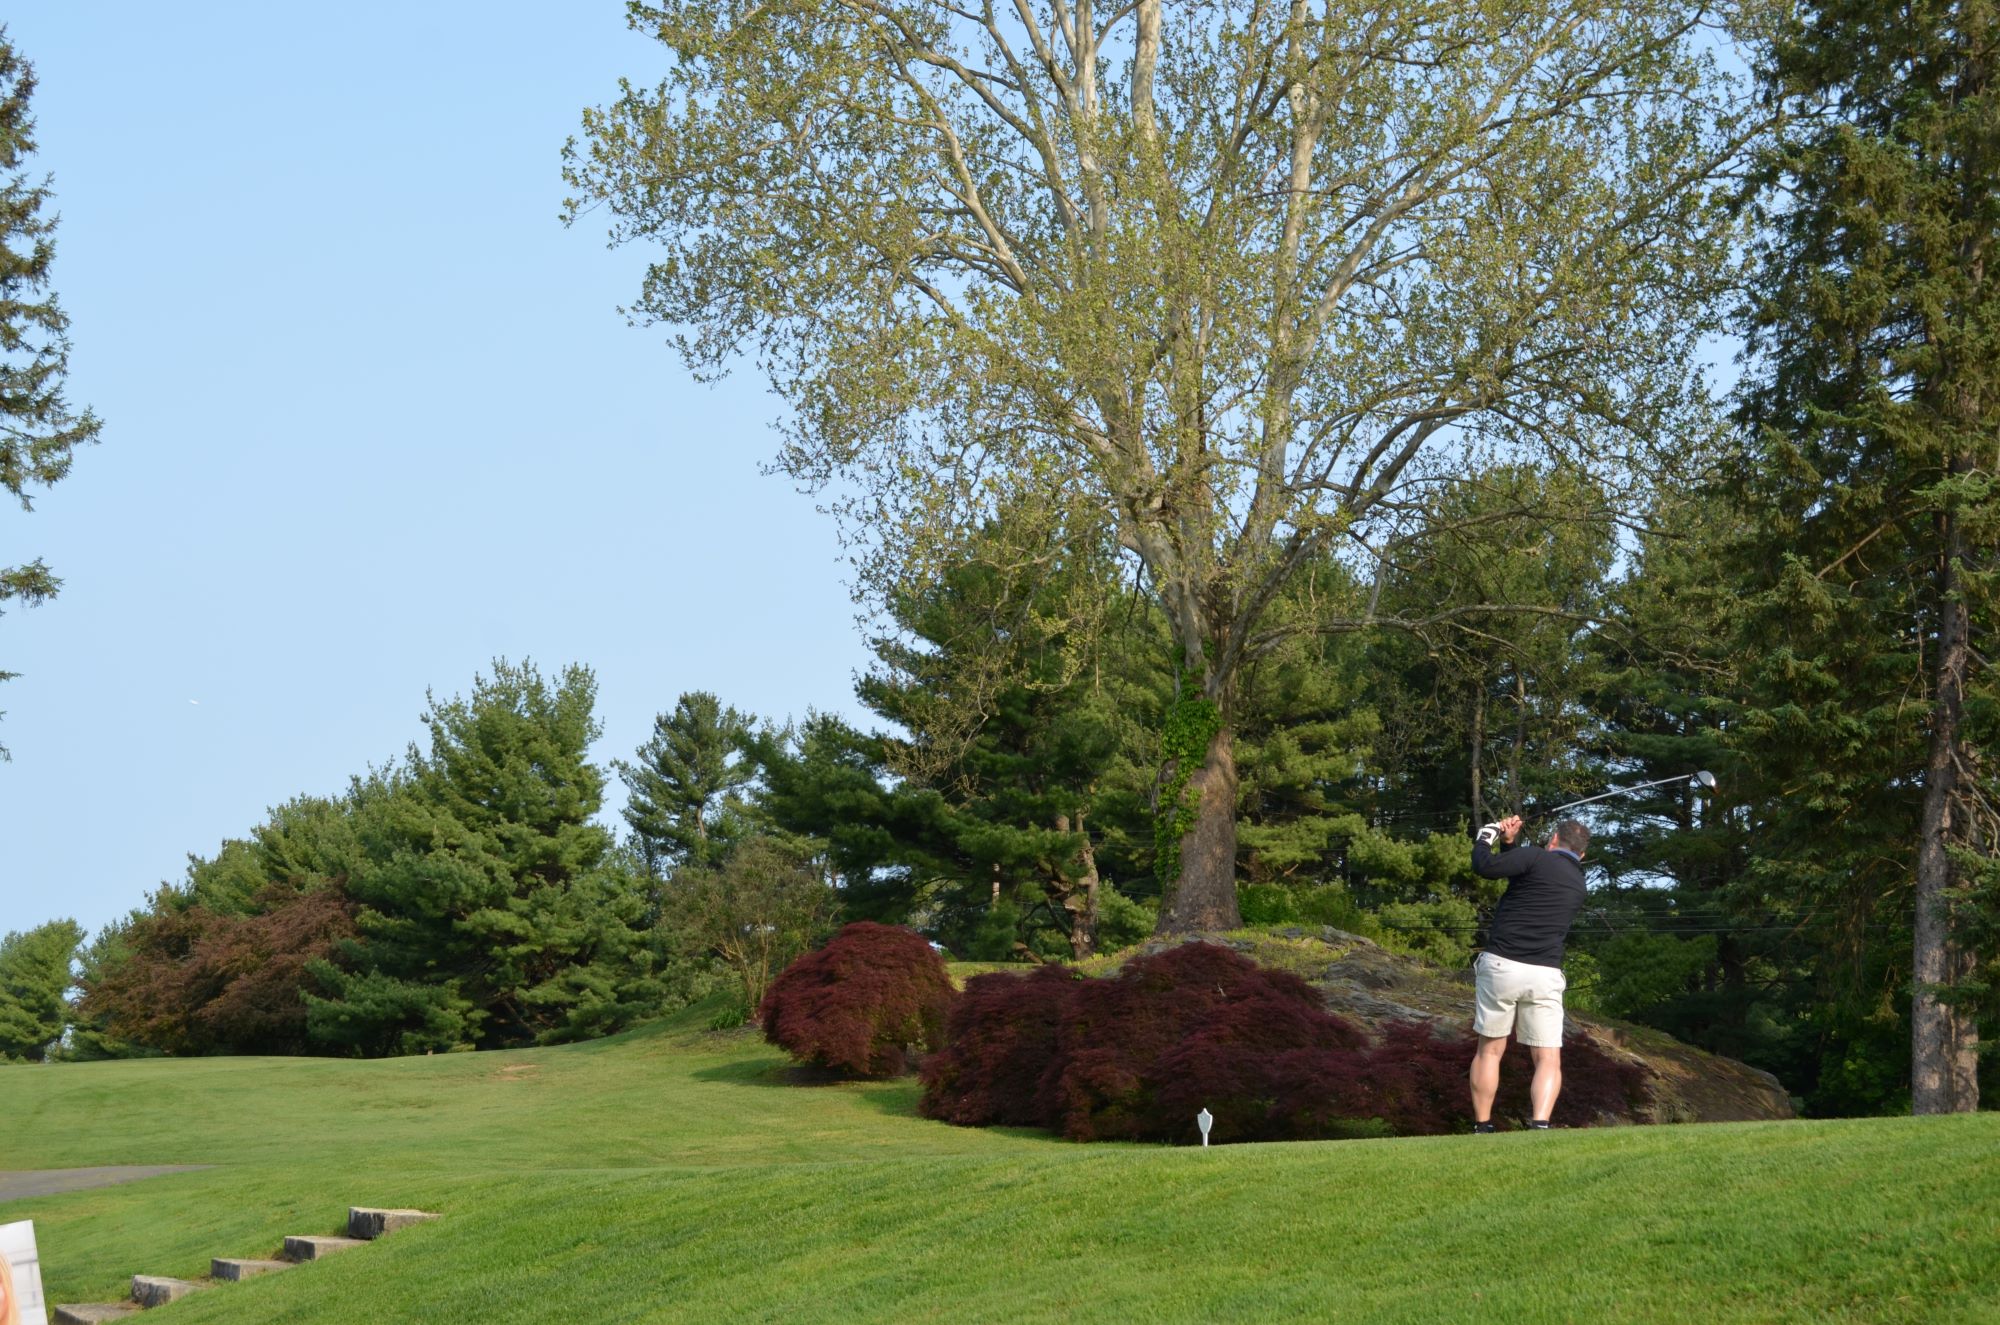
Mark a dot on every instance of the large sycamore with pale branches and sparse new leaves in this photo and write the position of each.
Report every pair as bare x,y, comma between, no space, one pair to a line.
1235,281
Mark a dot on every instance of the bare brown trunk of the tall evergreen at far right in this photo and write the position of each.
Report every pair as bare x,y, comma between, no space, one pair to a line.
1943,1038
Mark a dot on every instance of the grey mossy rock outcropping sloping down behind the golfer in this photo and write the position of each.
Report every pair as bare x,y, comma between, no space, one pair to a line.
1371,986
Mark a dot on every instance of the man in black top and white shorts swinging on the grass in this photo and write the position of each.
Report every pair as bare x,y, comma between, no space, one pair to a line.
1519,978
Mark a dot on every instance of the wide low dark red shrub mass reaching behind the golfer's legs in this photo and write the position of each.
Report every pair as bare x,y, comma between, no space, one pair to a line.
1203,1028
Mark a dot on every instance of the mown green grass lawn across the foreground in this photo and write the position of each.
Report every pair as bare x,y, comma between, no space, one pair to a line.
673,1176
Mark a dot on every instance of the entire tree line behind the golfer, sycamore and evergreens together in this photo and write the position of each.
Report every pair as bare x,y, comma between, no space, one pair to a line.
1273,441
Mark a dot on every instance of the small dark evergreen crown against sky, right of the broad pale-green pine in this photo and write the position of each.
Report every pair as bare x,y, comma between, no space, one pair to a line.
687,786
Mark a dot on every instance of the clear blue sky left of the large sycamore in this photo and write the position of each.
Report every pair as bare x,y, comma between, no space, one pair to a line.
371,421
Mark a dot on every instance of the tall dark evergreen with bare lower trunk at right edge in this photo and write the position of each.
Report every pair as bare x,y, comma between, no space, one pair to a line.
1873,407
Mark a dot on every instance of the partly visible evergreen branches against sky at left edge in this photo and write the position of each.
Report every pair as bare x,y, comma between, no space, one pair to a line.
39,431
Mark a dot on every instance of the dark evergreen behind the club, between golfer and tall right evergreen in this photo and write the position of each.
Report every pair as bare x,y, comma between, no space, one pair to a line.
1687,940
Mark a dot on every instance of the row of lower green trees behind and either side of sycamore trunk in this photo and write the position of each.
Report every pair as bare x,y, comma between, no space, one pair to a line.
471,894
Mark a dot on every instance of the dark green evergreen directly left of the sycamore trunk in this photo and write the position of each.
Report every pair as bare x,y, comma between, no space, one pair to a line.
1055,764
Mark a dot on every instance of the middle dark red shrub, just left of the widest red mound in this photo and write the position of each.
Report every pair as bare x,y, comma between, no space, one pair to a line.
1001,1040
